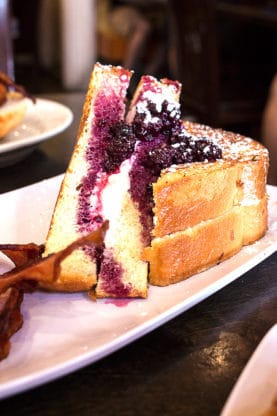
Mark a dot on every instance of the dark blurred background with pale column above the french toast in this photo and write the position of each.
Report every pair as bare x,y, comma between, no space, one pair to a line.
223,52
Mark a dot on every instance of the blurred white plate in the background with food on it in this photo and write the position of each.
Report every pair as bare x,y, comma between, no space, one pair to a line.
43,120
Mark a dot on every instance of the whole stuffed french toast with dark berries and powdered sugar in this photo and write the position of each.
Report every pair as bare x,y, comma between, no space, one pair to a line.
185,191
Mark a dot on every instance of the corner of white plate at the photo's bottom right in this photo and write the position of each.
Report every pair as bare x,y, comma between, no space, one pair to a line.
256,389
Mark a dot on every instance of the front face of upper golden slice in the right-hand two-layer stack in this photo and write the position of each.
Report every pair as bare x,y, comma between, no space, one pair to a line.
185,195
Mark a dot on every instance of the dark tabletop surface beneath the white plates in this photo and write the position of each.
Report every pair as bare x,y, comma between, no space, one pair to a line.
188,366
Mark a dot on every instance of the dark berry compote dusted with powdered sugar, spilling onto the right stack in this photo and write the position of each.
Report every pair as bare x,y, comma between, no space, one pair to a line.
162,142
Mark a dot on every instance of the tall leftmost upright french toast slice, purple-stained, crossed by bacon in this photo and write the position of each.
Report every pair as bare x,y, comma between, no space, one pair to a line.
79,207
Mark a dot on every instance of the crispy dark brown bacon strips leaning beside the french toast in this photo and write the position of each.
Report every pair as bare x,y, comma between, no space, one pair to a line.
30,269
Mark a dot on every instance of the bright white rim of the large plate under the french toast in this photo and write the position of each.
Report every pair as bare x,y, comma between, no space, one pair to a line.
34,379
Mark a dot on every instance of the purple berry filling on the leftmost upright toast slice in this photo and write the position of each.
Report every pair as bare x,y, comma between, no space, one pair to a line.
111,142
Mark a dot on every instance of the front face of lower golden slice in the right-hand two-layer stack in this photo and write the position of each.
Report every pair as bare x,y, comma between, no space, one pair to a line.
177,256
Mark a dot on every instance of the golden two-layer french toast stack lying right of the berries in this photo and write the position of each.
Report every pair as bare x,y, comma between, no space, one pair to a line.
191,200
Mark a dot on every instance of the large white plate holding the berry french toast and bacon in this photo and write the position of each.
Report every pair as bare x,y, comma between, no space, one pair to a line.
64,332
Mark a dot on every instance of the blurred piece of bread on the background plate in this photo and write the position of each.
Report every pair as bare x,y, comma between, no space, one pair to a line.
12,112
